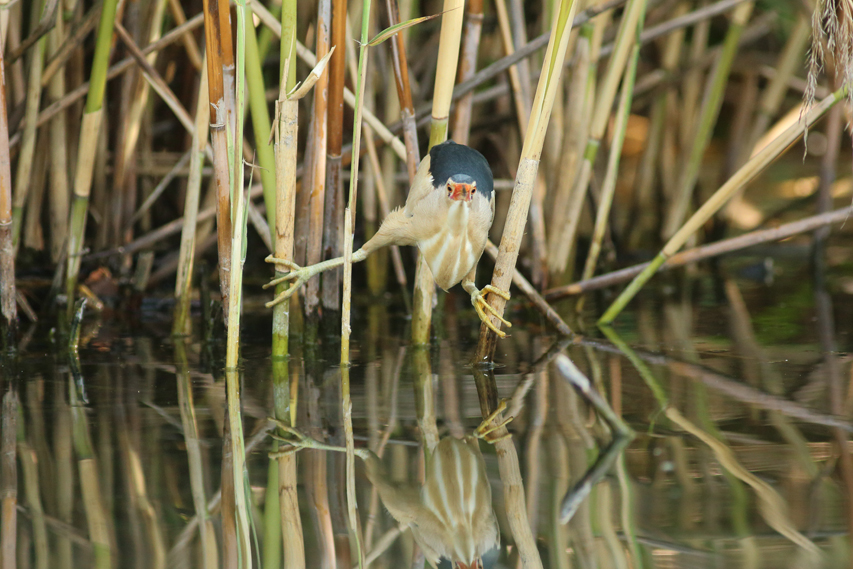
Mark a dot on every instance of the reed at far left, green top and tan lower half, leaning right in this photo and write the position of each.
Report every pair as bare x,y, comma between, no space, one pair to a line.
89,129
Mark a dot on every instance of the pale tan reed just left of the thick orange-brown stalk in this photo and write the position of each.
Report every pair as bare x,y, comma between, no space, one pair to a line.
183,281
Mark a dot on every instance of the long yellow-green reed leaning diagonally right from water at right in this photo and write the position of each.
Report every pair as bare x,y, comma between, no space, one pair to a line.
742,177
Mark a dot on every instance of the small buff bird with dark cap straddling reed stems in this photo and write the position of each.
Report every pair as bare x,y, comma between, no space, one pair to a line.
448,213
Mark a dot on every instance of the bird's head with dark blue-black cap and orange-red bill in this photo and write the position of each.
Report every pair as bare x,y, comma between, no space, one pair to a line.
464,172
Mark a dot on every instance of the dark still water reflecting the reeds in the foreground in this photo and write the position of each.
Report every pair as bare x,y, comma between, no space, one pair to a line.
737,389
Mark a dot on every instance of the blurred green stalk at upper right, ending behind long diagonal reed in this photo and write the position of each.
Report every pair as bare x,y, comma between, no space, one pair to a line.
711,105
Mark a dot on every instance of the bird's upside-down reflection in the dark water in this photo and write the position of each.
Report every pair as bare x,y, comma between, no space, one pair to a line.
451,514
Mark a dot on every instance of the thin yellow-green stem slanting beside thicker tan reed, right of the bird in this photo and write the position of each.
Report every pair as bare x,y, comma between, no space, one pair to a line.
619,128
